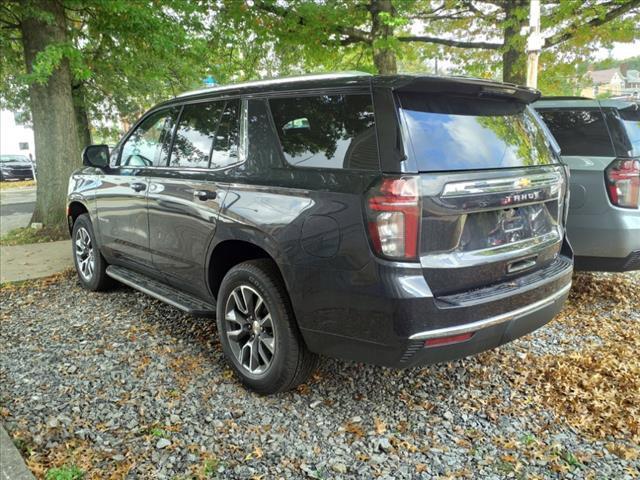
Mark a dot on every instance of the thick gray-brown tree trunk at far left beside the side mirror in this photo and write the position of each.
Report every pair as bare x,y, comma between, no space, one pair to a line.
54,120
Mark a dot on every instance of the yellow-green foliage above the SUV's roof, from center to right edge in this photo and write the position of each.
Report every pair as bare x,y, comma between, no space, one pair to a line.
484,37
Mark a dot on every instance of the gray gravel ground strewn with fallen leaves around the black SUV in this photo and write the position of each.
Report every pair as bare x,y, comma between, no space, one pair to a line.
121,385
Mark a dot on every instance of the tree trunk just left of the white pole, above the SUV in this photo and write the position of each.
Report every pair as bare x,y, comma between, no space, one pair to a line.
514,56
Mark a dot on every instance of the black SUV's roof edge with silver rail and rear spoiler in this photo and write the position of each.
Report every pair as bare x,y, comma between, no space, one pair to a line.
353,78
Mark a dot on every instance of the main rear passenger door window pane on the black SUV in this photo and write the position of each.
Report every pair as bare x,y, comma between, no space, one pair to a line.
194,135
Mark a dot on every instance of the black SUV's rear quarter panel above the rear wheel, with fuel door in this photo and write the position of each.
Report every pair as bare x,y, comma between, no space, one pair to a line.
311,222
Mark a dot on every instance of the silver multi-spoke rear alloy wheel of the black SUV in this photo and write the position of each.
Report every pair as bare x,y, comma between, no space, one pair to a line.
249,329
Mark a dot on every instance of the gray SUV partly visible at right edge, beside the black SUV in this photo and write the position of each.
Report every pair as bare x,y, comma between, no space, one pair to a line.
600,142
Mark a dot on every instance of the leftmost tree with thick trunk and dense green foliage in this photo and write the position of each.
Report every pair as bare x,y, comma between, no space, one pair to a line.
112,58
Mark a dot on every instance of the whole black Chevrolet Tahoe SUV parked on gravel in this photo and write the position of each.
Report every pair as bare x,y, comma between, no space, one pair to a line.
394,220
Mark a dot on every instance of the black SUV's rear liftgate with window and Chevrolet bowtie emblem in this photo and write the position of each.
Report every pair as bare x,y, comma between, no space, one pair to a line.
492,189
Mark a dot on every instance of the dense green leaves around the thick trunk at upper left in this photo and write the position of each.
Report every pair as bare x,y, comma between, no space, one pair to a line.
124,55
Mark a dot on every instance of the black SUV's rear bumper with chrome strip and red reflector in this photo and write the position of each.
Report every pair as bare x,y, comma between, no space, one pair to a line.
389,326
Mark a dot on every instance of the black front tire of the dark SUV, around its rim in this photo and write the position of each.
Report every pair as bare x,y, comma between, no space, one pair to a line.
98,280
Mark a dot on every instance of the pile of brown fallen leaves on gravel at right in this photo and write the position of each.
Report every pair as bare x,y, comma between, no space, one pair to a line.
597,387
